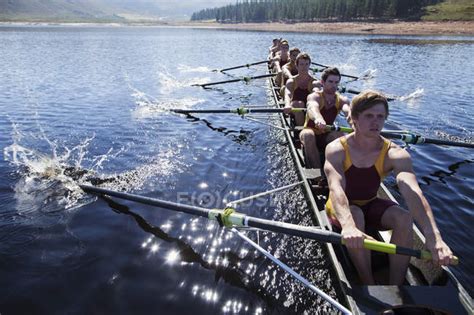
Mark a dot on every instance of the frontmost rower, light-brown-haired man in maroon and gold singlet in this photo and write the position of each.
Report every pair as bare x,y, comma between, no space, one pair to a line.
355,166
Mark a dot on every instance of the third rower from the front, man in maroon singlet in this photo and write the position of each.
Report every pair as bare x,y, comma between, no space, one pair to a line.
299,87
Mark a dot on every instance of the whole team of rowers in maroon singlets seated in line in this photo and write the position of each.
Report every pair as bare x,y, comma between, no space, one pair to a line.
356,164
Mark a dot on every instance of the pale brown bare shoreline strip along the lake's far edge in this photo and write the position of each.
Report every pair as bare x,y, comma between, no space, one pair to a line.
449,28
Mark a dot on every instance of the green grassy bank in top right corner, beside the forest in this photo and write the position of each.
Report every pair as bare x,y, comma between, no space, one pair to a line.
450,10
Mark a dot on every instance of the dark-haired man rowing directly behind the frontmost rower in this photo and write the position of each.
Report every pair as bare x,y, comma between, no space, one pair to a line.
323,108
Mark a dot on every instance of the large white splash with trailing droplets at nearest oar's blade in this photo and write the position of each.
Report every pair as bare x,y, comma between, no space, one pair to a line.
49,179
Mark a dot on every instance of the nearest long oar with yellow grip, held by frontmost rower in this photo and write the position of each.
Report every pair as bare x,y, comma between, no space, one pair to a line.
229,218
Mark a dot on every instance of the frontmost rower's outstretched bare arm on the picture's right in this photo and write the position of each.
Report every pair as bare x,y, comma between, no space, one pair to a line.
418,205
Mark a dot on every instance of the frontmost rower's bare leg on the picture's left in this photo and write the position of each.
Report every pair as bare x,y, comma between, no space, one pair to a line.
361,257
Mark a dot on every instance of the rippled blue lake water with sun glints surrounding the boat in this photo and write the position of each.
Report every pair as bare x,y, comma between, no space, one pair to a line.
95,98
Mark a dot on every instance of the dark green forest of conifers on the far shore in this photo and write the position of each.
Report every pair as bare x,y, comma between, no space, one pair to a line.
314,10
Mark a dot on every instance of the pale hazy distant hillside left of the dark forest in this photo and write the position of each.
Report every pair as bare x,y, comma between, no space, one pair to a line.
101,10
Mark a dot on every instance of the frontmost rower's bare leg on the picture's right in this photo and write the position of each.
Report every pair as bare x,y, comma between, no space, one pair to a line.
400,222
